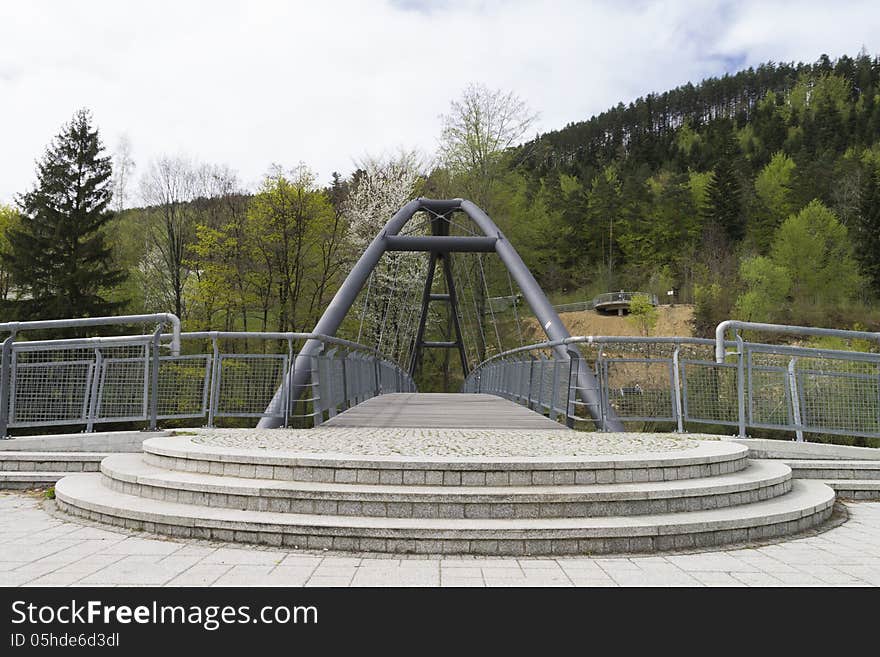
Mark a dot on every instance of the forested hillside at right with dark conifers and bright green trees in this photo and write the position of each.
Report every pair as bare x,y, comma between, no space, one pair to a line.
728,191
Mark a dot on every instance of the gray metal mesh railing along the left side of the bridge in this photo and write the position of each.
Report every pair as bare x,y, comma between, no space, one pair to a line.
214,375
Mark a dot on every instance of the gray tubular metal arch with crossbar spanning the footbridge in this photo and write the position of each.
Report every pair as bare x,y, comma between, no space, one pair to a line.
388,239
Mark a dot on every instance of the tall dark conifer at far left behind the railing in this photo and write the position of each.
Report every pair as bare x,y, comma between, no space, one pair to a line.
57,256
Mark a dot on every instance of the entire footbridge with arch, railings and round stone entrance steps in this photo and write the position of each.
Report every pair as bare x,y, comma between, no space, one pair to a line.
555,444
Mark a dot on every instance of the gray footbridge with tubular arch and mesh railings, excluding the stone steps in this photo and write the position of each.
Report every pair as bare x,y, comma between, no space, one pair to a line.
424,286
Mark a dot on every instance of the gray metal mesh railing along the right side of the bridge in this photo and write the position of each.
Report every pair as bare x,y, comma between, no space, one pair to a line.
677,382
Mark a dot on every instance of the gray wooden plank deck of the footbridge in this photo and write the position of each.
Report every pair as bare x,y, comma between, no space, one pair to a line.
442,411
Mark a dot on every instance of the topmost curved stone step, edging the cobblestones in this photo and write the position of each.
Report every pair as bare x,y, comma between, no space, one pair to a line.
709,458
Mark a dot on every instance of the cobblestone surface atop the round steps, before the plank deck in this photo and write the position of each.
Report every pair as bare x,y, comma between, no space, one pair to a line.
446,442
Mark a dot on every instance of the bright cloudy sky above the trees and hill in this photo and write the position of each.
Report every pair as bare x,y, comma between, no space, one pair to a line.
253,83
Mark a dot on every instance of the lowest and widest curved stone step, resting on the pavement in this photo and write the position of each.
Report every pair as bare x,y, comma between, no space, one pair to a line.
809,503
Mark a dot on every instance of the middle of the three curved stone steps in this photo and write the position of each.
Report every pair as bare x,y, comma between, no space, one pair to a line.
127,473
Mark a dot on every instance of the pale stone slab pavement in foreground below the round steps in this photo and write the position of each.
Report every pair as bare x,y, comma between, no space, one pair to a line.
39,548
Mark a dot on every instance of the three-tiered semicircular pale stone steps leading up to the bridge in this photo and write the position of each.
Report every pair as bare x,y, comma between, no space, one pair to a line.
643,501
